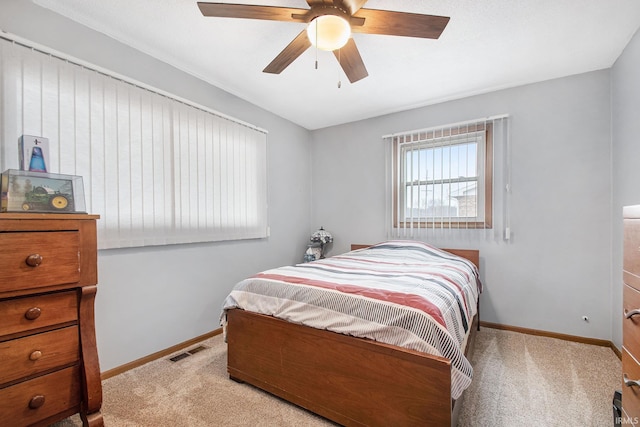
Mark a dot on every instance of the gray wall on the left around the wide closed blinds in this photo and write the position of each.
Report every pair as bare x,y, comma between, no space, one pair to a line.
152,298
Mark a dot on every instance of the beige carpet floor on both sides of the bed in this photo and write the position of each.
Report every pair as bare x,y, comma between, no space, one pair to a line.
519,380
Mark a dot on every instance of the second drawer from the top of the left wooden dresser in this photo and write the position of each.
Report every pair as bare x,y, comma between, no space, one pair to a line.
23,314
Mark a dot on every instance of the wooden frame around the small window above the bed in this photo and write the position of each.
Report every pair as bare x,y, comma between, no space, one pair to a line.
486,180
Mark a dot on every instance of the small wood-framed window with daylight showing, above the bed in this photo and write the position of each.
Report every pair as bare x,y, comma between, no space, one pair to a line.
444,178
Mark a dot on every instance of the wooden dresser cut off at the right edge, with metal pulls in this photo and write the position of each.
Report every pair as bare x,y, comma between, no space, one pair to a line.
631,316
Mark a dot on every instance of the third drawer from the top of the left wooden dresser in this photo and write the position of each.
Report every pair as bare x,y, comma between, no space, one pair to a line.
34,354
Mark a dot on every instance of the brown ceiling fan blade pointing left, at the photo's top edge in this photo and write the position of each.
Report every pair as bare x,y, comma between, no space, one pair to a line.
272,13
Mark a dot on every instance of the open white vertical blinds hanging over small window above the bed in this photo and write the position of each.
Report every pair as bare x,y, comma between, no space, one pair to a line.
437,191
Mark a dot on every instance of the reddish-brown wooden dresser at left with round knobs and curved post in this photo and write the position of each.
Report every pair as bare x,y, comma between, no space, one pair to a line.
48,358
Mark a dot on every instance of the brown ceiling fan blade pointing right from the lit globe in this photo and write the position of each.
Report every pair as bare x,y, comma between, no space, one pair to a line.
400,23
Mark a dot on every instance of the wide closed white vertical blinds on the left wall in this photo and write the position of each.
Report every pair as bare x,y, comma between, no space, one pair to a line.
156,168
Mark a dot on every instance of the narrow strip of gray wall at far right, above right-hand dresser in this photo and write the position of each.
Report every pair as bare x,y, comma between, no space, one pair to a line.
625,126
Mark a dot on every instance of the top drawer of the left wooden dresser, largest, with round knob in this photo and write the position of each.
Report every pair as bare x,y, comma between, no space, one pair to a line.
31,260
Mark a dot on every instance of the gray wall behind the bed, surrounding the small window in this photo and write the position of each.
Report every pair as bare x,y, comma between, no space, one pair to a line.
557,266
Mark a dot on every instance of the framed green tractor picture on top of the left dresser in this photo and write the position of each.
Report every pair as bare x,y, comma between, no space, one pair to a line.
24,191
